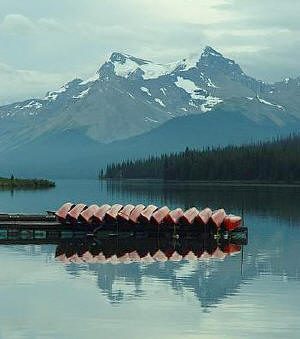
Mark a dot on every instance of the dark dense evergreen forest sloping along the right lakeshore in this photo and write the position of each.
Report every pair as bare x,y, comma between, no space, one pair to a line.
276,160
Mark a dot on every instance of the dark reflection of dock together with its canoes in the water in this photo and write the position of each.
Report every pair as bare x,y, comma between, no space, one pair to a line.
126,247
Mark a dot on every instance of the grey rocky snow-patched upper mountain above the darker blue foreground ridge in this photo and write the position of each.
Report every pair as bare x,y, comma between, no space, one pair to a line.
129,96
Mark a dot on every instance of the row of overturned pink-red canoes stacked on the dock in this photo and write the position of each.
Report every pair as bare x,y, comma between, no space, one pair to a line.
140,214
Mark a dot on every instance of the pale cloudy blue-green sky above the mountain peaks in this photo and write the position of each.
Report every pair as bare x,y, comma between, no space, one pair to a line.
47,43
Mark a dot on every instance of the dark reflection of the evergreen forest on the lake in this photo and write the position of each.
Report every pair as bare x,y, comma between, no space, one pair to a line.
279,201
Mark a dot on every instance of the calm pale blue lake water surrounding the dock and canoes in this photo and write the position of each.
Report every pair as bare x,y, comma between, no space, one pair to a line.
252,294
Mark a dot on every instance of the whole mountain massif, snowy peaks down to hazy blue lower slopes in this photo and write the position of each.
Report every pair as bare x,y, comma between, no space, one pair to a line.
134,107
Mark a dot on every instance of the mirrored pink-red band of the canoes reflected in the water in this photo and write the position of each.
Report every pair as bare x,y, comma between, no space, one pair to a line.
146,256
